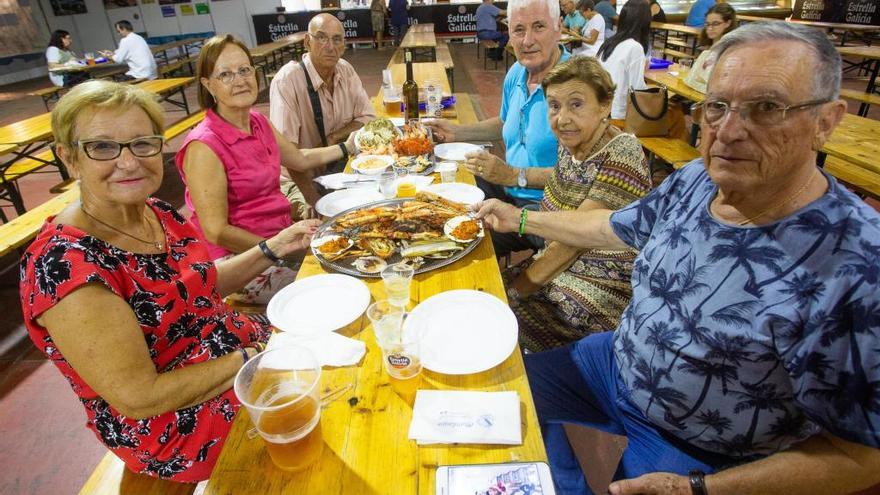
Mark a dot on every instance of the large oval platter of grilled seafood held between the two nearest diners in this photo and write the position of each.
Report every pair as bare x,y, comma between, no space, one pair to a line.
425,231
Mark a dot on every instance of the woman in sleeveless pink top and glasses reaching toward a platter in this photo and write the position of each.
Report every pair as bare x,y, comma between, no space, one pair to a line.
231,164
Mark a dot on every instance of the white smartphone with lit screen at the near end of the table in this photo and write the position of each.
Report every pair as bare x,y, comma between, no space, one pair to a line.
513,478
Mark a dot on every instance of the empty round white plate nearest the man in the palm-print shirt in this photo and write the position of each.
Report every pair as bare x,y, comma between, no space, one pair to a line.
463,331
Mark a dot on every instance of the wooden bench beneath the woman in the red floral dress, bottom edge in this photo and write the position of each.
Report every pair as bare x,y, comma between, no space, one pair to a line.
112,478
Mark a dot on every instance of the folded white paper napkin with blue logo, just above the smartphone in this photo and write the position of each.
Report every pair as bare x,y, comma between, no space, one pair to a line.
446,416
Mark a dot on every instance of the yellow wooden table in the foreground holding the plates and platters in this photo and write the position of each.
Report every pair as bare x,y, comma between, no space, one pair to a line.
366,449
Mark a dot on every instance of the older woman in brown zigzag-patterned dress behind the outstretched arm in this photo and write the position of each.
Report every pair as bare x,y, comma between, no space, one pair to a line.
564,293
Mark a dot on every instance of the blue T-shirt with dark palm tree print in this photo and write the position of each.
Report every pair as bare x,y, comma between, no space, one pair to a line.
743,340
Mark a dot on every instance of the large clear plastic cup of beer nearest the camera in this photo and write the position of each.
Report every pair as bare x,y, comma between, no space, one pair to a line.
280,390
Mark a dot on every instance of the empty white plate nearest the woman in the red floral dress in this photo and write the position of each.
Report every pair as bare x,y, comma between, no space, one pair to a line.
321,303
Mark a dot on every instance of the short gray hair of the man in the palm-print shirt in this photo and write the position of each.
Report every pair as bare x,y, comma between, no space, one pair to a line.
826,81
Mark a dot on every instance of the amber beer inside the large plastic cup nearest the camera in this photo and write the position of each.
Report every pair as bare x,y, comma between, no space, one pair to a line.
294,432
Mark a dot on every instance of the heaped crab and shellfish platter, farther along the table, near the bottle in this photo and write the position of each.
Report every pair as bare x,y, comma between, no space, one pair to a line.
408,146
